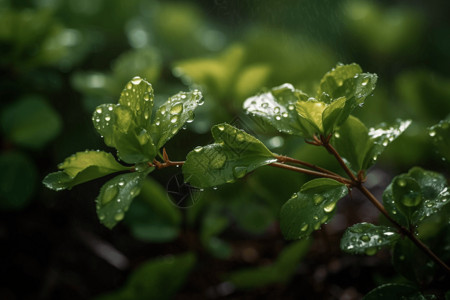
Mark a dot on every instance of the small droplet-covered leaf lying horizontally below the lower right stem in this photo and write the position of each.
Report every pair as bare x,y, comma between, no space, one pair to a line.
366,238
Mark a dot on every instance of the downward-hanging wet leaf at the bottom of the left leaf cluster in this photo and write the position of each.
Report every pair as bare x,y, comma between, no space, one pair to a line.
116,196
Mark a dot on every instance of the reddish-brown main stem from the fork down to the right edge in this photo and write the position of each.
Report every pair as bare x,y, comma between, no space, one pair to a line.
402,229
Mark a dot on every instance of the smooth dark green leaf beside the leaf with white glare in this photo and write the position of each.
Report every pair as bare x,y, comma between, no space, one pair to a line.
352,141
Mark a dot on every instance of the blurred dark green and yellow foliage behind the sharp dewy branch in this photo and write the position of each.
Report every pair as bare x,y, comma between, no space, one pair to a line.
61,58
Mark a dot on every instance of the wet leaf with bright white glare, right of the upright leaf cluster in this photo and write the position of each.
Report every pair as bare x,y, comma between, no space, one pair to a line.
381,136
